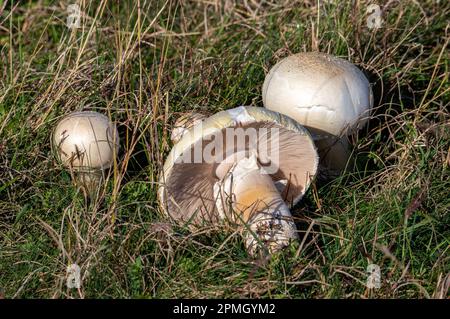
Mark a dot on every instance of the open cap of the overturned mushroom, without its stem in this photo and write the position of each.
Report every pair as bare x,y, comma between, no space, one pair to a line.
284,147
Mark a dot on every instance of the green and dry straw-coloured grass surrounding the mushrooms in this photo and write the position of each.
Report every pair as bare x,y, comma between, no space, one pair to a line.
143,63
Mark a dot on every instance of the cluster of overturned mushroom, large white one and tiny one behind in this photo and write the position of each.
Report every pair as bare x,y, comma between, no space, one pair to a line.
314,101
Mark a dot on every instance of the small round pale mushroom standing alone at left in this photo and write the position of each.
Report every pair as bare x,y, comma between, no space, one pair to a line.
86,143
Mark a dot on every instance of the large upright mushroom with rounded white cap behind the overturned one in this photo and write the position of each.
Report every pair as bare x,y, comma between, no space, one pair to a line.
328,95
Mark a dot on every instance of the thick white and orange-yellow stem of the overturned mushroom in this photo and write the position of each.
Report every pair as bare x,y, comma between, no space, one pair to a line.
257,205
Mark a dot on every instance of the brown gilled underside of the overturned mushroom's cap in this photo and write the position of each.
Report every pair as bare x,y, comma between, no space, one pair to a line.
189,187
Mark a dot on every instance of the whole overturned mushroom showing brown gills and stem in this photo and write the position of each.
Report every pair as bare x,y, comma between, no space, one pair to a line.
242,166
